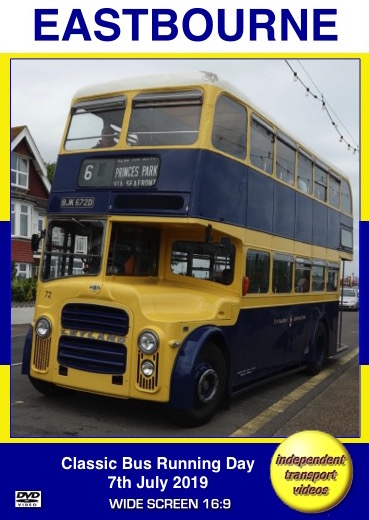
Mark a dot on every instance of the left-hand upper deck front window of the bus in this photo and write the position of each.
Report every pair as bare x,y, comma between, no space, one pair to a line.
95,123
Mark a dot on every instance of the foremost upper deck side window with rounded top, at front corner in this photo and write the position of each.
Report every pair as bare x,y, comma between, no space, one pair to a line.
229,128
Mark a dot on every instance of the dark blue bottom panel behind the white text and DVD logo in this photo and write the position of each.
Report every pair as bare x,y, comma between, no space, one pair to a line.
85,493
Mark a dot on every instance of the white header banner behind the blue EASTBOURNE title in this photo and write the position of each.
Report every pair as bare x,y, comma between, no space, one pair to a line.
194,26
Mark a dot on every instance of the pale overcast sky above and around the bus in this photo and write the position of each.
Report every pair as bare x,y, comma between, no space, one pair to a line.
42,90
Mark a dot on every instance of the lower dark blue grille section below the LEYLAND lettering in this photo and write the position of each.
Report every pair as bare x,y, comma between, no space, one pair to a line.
92,355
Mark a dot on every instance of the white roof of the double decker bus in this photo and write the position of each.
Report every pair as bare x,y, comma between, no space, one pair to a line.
191,79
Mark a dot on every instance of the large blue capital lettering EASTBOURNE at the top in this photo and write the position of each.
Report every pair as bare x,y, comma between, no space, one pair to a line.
196,25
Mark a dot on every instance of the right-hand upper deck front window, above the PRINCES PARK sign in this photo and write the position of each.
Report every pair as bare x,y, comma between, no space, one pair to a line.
165,118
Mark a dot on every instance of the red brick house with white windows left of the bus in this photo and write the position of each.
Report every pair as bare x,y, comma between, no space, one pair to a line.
30,191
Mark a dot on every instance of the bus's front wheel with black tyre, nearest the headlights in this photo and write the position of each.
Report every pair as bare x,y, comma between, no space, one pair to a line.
209,388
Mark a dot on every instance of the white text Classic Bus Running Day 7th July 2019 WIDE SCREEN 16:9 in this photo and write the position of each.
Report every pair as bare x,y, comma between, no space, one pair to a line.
135,477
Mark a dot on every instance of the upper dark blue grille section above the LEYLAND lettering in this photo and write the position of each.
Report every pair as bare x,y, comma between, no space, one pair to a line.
98,318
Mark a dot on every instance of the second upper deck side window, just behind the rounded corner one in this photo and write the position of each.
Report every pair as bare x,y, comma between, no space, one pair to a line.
262,144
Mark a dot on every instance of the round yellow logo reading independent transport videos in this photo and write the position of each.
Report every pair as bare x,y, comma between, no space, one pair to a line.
311,471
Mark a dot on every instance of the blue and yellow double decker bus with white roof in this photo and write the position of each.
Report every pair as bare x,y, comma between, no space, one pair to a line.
192,249
